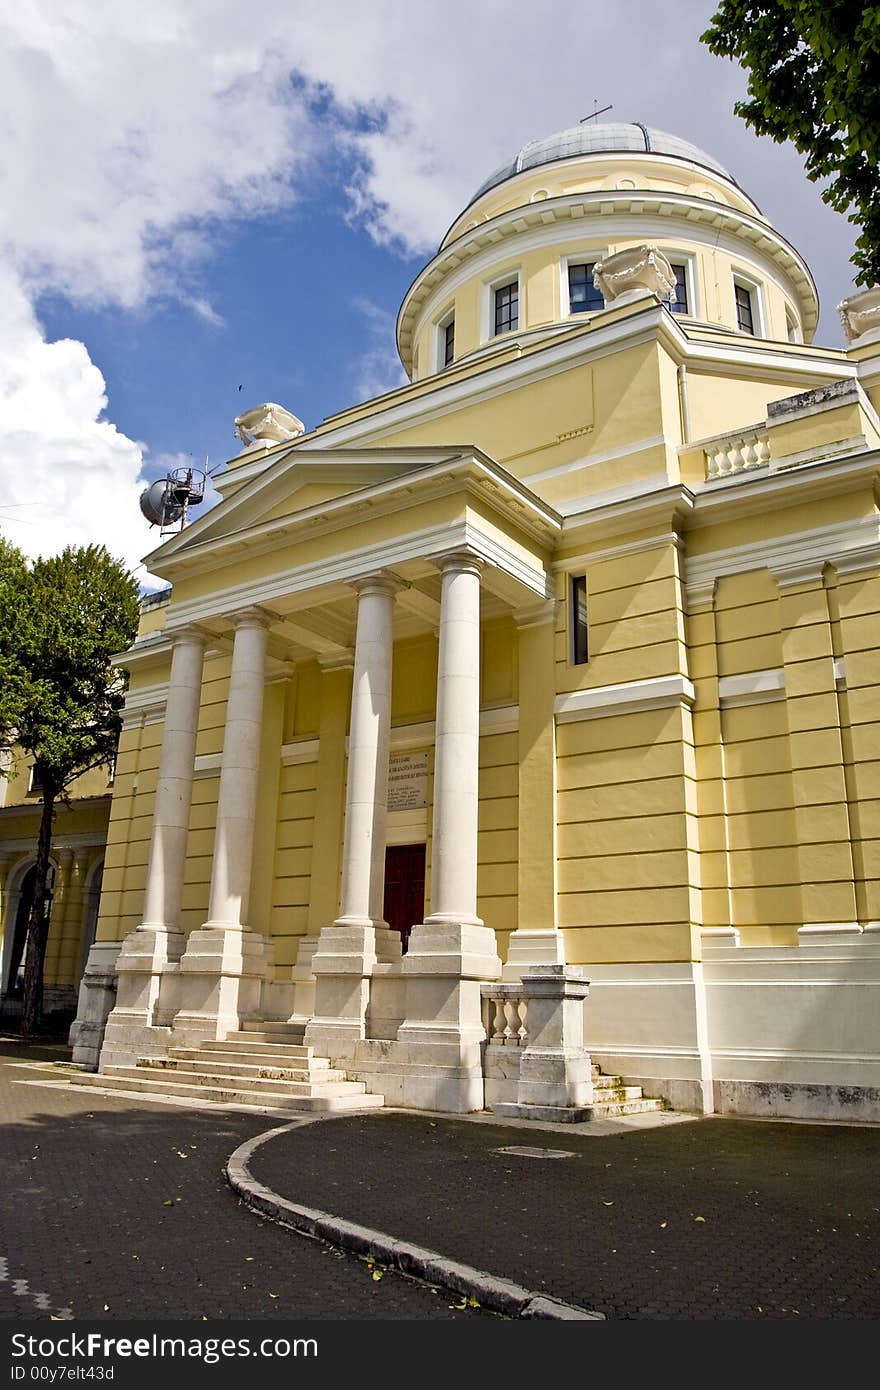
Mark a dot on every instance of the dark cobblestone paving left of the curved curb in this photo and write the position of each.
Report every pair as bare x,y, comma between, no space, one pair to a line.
117,1209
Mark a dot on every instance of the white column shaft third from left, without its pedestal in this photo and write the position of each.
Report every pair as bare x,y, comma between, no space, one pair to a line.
364,857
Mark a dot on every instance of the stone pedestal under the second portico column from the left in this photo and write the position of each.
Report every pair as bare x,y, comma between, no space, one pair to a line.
222,979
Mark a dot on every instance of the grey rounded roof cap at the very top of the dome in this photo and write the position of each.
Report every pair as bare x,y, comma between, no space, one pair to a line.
587,138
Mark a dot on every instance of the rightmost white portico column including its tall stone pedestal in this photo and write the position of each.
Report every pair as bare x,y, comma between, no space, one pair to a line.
451,953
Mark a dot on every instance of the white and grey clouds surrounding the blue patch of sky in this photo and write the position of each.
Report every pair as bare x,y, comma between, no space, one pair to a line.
133,131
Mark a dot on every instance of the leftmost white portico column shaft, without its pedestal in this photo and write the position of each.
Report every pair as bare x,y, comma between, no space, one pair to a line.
165,886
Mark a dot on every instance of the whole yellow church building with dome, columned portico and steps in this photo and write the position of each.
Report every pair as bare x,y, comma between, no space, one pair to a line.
525,721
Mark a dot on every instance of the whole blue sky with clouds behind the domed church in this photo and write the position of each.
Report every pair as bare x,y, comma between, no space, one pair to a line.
201,195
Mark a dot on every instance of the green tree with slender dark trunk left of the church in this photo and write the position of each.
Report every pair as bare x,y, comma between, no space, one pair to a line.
62,621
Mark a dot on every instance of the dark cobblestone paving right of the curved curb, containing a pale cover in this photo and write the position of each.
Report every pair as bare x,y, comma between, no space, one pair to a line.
712,1220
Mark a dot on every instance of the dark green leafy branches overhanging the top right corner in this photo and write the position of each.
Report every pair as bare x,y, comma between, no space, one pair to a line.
814,79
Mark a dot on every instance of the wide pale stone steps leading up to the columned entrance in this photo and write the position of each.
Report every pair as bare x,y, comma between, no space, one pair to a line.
263,1065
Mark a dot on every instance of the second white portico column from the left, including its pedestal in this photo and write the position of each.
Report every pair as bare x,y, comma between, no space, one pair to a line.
226,965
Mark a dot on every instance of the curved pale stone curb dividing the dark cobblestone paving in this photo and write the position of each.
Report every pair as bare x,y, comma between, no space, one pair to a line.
493,1292
